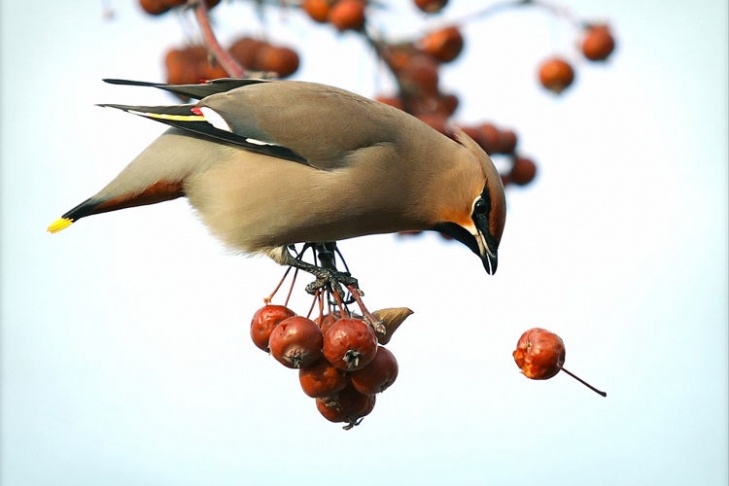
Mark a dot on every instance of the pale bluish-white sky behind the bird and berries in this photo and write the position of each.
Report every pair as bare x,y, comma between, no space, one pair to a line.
126,358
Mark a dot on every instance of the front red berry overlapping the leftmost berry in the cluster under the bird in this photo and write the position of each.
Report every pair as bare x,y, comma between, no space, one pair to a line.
296,342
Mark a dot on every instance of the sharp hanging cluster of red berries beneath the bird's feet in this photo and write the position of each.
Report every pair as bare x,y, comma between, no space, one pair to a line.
342,361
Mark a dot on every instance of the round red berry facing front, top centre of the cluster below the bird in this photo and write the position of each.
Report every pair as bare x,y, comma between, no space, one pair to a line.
350,344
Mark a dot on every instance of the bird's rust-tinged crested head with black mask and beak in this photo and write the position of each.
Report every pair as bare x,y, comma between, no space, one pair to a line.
478,221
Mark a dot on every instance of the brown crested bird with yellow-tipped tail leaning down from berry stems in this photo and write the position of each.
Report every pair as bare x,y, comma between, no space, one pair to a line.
268,164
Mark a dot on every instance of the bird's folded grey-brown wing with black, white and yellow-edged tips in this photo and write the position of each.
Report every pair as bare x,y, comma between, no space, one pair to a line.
309,123
